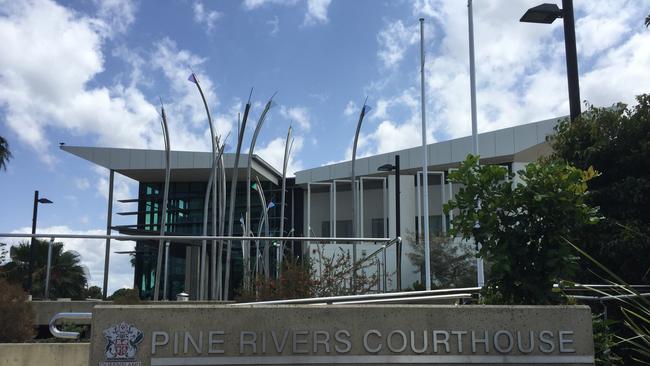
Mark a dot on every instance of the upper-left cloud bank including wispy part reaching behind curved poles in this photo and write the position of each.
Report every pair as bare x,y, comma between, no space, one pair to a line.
60,96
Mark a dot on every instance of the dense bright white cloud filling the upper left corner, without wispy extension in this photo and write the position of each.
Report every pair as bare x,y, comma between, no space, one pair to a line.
36,98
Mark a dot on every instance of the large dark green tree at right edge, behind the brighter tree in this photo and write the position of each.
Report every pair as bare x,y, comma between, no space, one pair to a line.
616,142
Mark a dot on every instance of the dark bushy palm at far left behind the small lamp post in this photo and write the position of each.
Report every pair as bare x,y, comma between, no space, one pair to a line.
68,278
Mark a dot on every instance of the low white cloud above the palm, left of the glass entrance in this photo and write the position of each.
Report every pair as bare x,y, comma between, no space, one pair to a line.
91,253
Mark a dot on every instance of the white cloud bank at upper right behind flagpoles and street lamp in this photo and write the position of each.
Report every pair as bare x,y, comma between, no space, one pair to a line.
520,68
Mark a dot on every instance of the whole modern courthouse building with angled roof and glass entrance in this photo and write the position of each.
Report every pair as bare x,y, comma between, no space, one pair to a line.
318,200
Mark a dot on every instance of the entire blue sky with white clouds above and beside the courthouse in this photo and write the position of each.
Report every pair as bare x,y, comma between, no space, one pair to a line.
91,73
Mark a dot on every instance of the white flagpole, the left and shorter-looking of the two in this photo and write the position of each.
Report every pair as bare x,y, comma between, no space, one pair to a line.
425,164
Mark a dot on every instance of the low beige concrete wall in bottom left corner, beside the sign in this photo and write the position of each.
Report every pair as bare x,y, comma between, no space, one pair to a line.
51,354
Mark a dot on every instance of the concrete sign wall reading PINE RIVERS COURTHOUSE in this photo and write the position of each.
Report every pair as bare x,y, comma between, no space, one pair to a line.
340,335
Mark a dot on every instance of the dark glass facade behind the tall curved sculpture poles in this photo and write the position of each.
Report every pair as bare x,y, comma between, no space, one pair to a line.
185,217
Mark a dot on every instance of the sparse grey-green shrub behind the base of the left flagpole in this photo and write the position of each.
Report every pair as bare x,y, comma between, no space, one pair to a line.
452,262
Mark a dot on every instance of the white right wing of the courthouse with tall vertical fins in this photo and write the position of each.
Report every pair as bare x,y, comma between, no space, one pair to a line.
328,196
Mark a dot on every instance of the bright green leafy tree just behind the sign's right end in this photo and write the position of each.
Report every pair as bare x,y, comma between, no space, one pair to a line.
522,226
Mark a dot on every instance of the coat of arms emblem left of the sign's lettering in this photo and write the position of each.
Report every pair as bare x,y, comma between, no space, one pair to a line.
122,342
